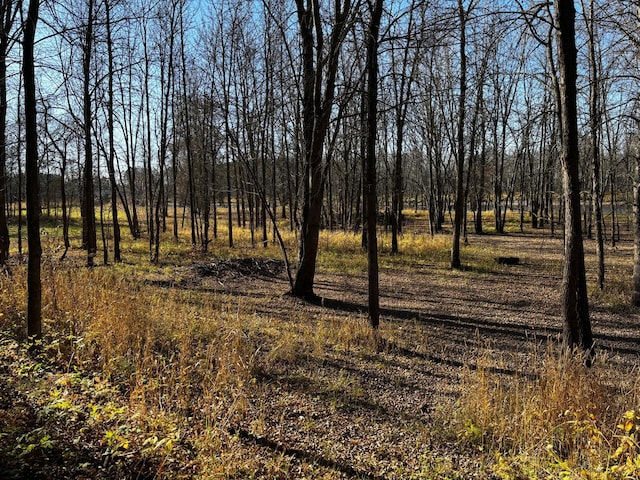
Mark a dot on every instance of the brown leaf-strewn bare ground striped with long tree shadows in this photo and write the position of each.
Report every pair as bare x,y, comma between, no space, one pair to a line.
381,414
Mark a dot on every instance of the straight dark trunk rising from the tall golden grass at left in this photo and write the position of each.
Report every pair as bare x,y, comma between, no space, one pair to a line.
34,286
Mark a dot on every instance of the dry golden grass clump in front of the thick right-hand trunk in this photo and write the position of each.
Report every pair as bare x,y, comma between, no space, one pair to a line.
559,419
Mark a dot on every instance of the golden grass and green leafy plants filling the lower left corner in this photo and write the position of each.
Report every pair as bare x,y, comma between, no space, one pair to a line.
122,374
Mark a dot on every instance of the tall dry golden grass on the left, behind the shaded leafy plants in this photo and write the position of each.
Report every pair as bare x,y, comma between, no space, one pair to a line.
160,357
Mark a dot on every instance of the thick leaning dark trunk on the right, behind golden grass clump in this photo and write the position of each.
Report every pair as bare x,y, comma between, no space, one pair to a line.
575,304
